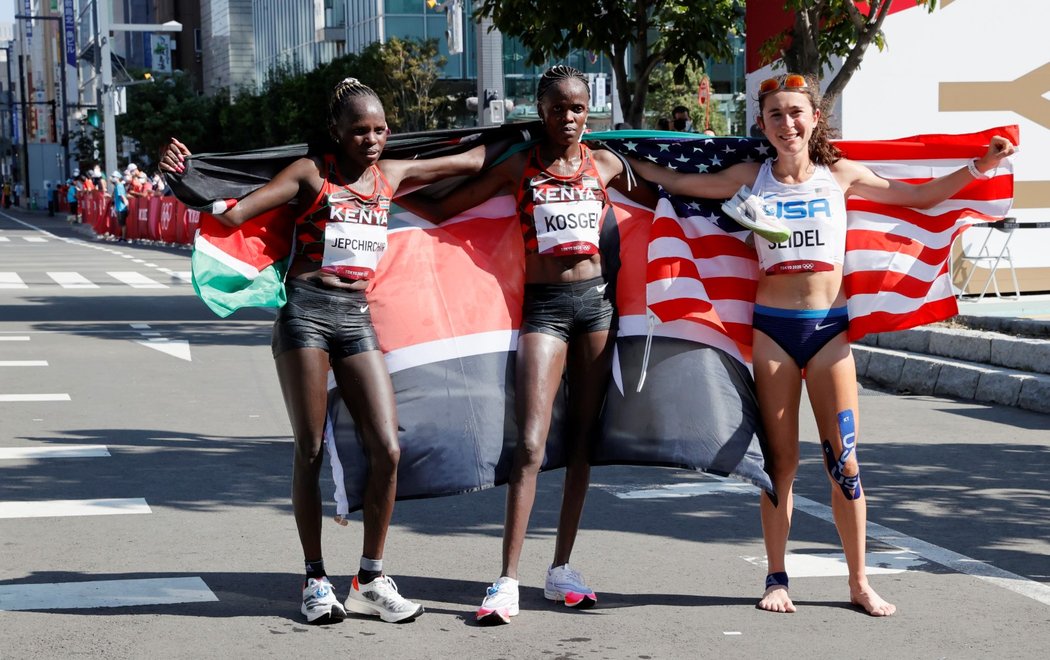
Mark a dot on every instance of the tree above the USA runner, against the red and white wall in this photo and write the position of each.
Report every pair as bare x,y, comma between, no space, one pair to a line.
831,29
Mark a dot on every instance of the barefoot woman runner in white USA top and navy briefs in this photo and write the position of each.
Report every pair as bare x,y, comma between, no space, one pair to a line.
801,318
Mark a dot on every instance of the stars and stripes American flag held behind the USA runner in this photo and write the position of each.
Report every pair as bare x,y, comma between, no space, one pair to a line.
702,273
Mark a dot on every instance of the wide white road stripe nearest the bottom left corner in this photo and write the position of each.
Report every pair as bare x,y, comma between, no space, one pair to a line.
106,594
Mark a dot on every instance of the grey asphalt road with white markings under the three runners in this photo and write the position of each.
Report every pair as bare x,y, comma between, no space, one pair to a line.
145,463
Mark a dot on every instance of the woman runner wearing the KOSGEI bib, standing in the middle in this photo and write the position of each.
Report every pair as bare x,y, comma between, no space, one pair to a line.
568,321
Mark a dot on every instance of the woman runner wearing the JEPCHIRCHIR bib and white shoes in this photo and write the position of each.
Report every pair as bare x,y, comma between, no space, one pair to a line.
340,240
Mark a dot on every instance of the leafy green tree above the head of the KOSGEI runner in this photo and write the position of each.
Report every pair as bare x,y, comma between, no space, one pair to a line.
655,32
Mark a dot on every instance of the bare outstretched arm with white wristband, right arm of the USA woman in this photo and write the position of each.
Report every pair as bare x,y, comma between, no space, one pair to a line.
869,185
